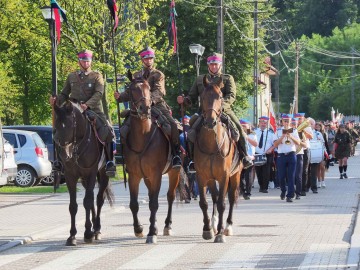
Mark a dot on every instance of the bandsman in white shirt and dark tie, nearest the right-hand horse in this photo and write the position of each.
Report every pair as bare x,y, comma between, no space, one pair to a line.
265,138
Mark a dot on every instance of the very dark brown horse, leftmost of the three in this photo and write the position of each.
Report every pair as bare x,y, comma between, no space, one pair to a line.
81,155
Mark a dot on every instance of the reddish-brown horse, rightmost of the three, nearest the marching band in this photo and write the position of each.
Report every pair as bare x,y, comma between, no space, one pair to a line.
216,159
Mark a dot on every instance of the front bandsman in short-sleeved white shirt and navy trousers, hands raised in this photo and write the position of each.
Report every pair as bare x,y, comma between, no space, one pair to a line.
286,140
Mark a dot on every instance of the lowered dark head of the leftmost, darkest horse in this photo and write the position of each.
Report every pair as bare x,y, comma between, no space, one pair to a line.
67,122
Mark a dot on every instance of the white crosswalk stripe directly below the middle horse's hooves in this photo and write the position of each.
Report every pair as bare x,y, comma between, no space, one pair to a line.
158,257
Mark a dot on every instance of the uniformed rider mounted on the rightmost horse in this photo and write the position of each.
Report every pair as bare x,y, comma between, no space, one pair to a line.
214,62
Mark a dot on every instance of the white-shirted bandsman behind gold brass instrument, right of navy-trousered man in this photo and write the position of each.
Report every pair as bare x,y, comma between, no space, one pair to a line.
305,135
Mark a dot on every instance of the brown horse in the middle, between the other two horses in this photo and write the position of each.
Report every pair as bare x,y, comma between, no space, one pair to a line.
146,154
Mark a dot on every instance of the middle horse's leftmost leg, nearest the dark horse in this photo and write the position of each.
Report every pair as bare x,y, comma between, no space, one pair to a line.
134,204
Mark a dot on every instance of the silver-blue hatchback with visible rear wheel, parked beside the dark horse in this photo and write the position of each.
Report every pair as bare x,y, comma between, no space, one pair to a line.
31,156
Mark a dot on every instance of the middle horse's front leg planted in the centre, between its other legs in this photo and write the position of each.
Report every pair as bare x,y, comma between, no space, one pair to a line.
153,184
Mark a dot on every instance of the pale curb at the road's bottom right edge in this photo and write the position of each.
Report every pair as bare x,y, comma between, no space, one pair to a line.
354,251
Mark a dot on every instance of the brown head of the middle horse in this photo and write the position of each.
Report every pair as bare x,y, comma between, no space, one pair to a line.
140,100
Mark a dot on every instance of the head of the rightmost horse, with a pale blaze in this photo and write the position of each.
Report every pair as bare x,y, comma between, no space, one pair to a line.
211,103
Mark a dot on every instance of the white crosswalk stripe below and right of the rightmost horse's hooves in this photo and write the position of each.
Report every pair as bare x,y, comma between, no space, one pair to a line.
246,255
